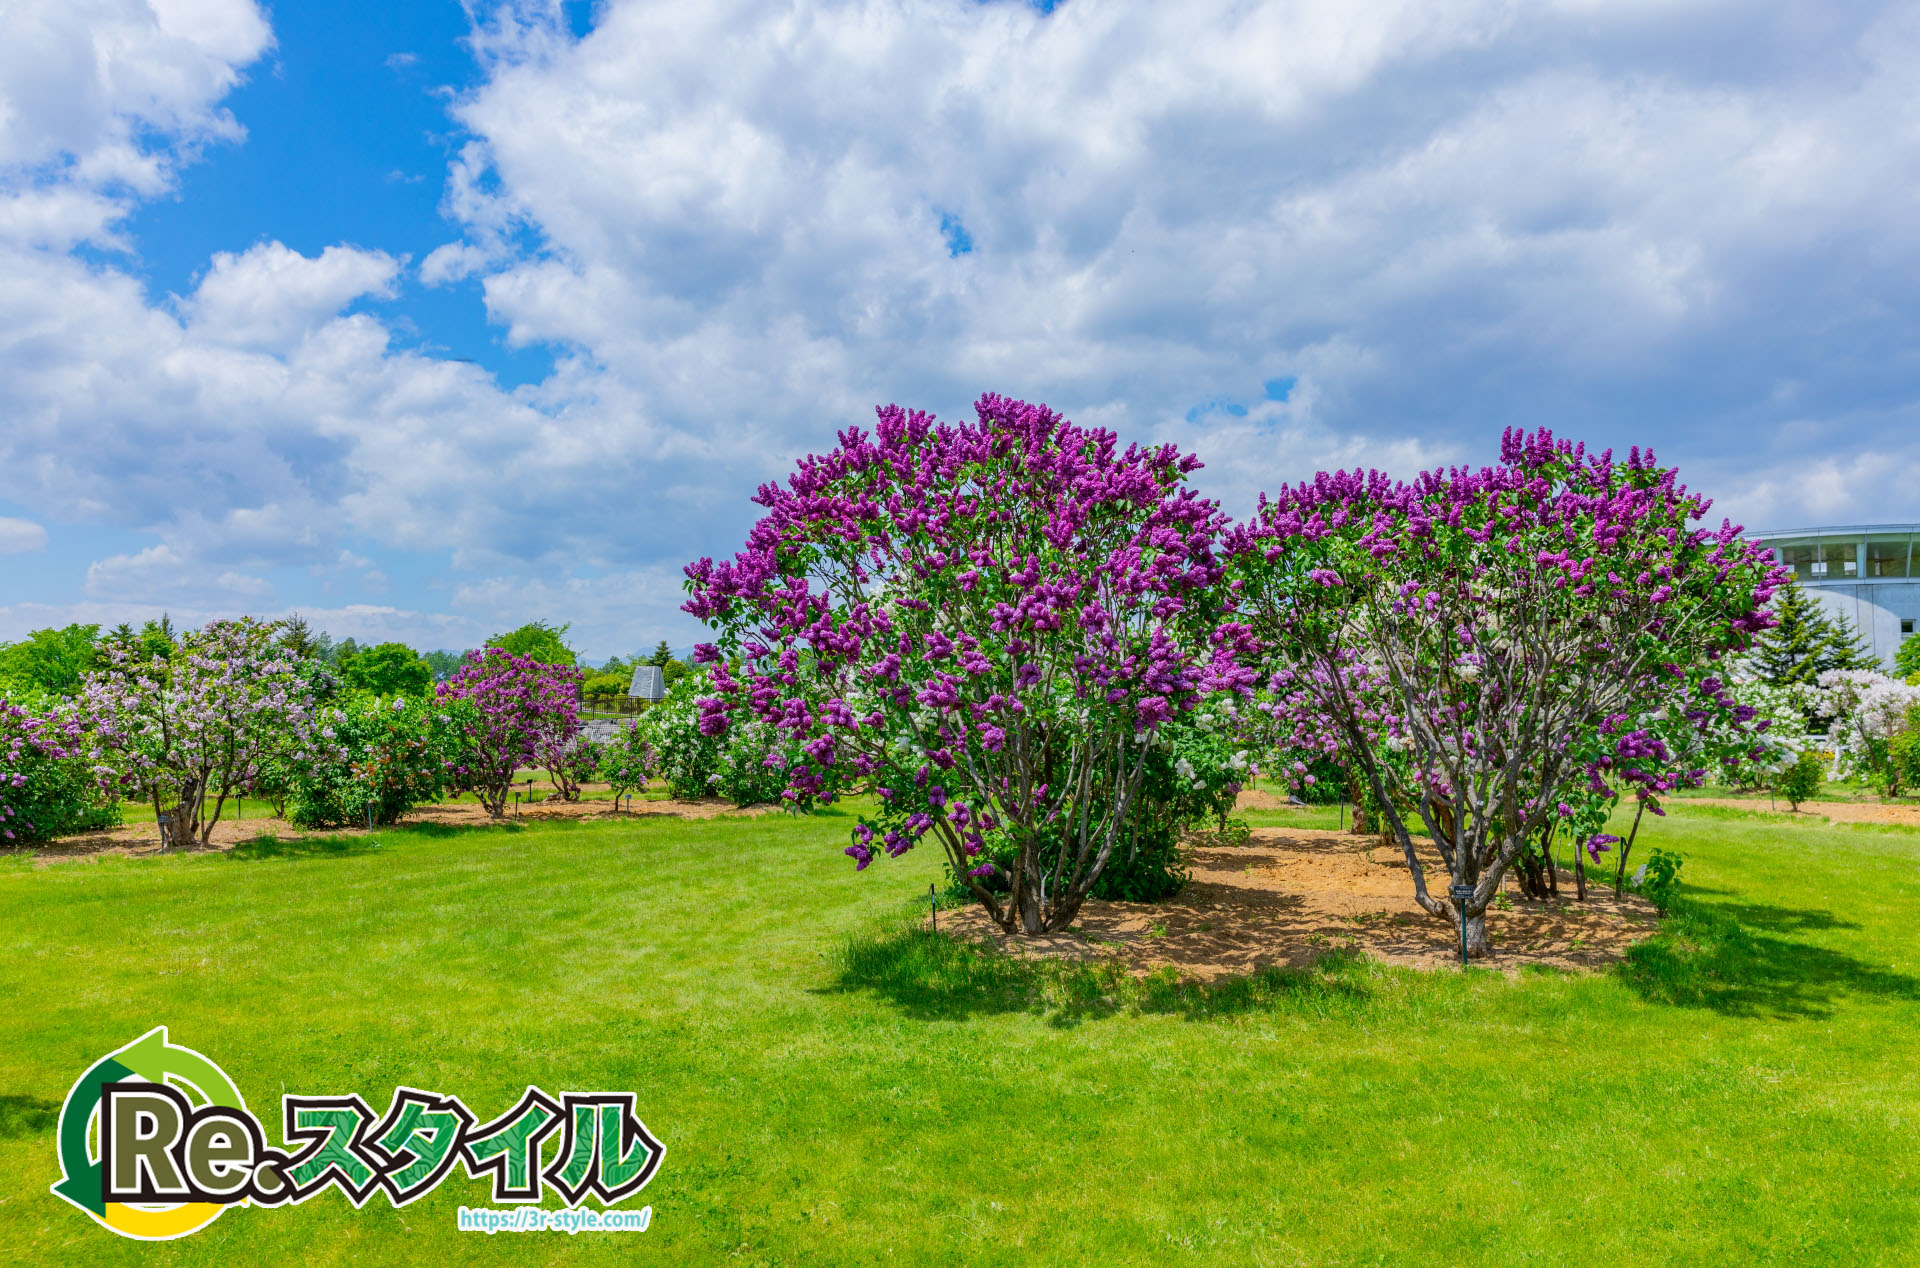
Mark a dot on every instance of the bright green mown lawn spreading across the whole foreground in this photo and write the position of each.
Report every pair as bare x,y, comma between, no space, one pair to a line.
834,1088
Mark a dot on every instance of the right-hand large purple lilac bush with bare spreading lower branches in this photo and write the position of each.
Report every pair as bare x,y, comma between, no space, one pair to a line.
1512,614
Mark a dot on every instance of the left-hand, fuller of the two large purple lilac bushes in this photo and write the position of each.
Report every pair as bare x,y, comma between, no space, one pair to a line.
988,623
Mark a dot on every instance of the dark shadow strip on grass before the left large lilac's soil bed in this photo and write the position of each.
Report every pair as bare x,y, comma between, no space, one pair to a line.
934,977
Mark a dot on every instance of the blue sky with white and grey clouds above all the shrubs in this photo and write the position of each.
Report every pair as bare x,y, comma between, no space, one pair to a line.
427,320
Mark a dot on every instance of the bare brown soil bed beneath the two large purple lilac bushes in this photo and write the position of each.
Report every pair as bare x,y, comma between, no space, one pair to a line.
1293,894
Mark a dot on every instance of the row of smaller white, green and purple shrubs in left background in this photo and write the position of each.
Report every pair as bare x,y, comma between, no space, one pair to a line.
229,712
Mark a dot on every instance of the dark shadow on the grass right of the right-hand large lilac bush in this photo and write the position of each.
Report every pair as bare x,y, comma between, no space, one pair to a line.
1744,960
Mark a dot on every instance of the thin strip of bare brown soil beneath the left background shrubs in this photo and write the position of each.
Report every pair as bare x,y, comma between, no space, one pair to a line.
143,839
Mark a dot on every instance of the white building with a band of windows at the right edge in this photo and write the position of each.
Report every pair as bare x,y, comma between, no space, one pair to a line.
1867,573
